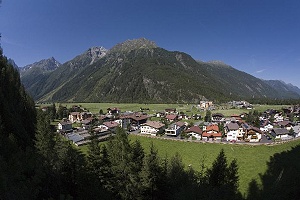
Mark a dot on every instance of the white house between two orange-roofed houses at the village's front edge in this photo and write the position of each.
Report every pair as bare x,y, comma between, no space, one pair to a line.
233,131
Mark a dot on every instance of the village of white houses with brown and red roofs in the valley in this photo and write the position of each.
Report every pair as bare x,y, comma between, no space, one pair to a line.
268,127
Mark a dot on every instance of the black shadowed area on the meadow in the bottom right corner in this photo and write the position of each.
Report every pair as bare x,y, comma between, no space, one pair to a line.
282,178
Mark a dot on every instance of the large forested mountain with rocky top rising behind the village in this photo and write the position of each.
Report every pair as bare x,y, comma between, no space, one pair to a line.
140,71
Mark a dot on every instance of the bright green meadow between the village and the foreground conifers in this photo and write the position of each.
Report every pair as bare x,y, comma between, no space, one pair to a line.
252,159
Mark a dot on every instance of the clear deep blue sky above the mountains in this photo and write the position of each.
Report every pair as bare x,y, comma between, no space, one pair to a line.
260,37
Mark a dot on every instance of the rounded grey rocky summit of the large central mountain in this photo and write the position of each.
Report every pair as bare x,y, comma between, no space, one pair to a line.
130,45
